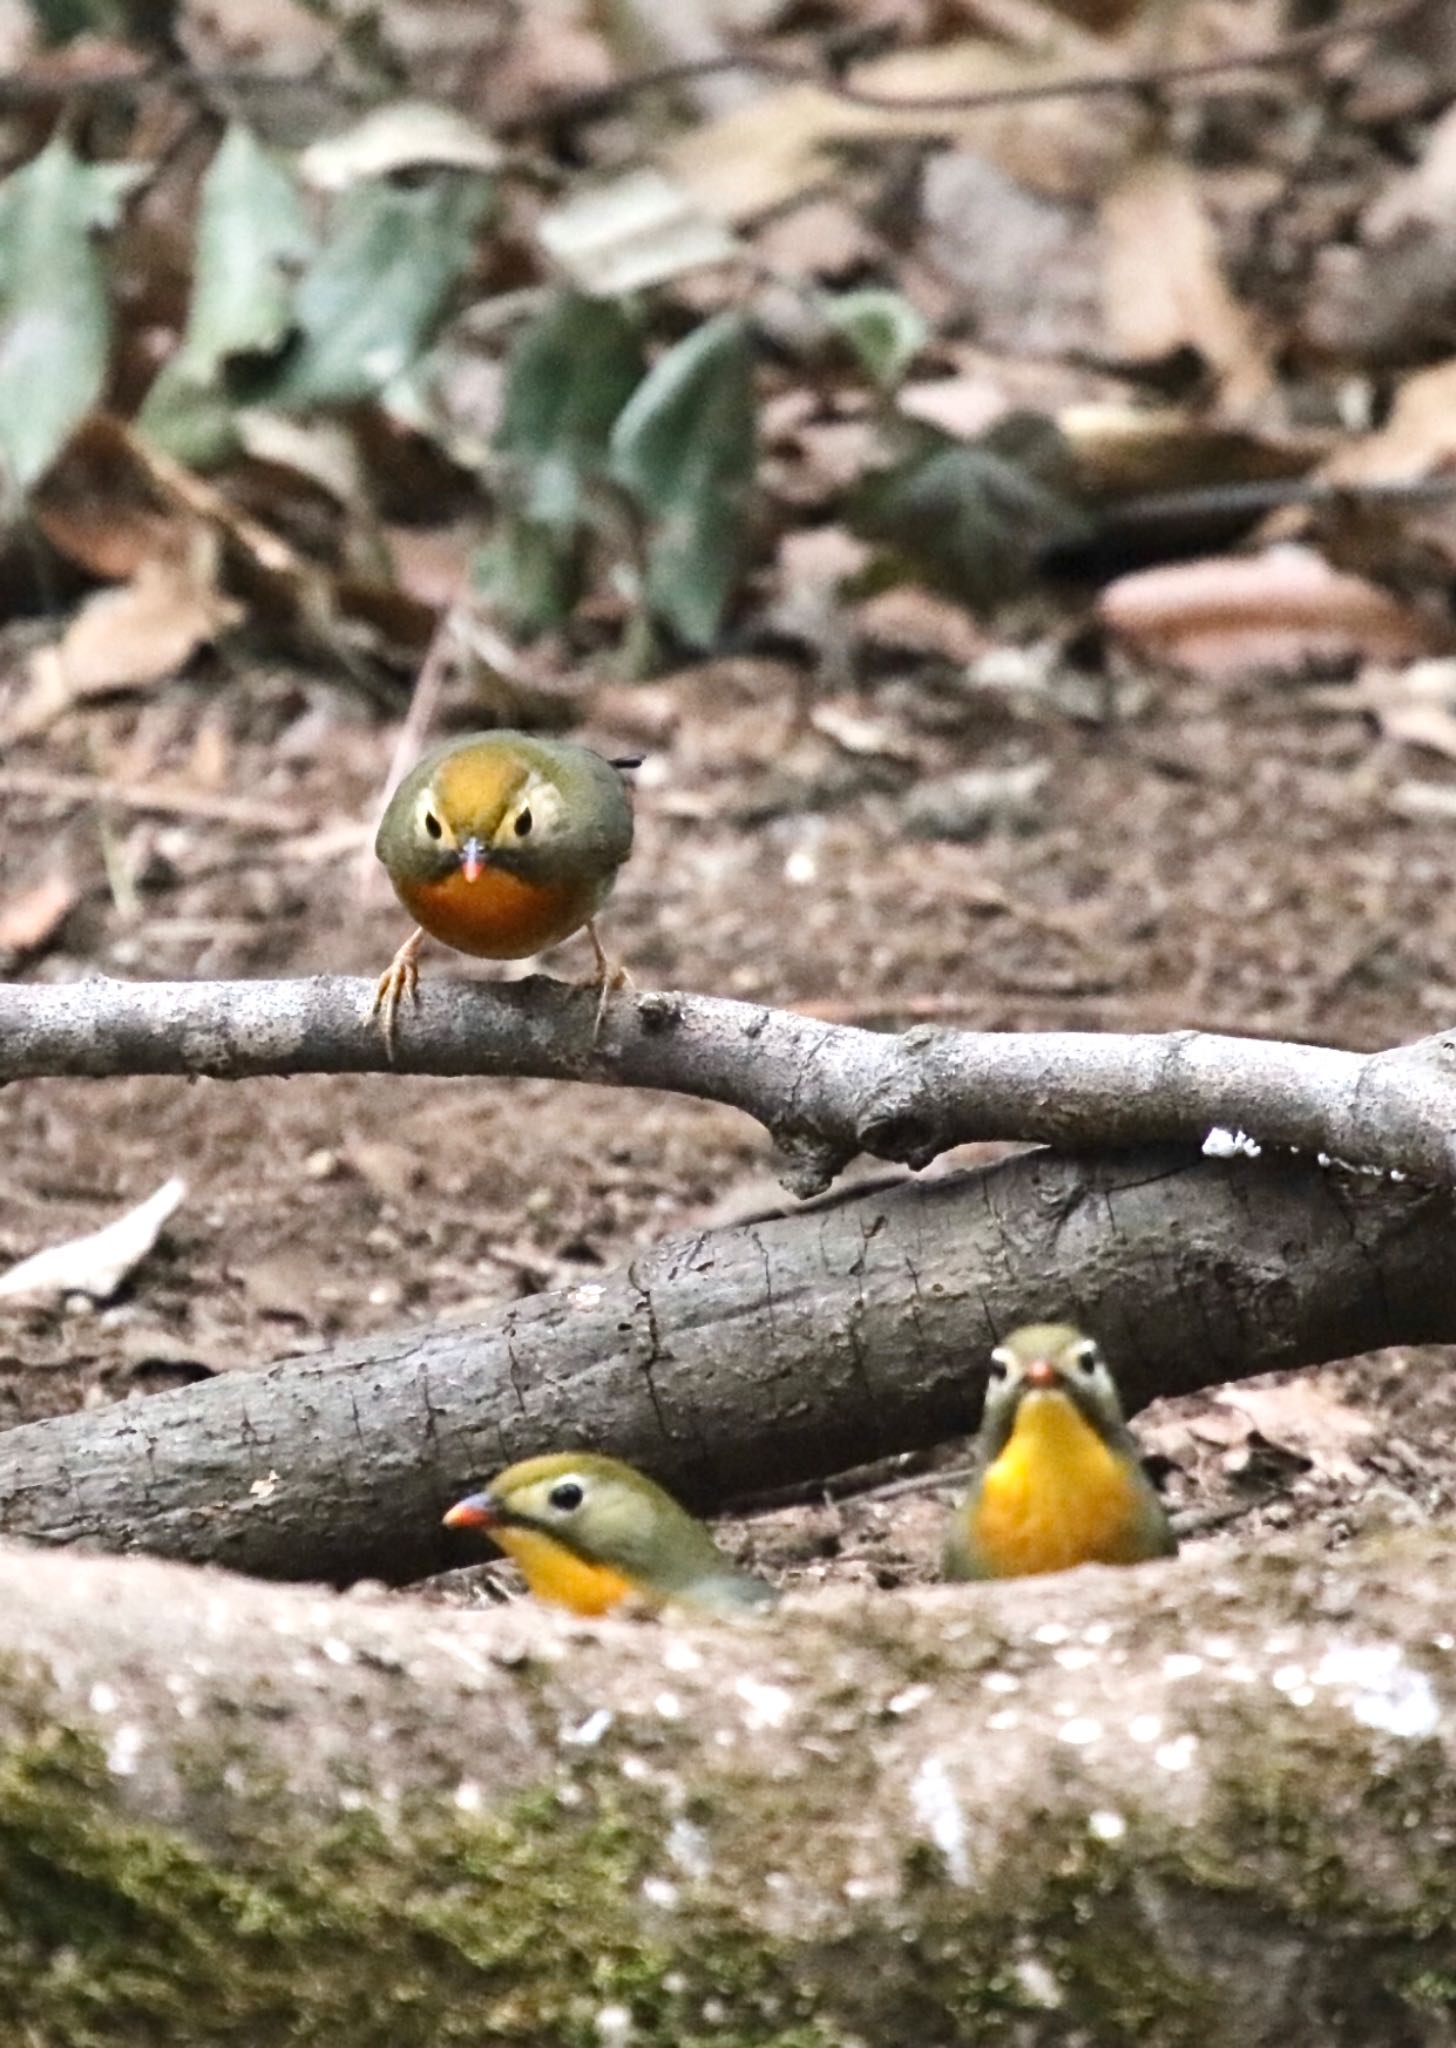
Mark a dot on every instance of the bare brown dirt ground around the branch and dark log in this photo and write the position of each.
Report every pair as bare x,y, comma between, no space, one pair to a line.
1224,857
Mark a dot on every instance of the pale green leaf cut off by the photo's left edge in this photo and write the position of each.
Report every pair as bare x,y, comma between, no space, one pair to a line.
54,310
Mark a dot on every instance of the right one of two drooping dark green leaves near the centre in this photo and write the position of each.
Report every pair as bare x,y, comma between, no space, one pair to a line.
685,452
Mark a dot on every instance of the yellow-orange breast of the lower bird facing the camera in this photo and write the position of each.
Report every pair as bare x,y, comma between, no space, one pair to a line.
1056,1498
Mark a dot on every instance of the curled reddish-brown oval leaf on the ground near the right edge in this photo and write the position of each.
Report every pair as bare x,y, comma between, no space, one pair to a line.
1281,611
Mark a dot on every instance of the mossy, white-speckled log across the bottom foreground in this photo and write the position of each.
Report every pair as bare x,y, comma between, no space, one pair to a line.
1176,1807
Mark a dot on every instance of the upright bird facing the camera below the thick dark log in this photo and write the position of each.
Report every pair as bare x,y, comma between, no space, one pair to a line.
1060,1480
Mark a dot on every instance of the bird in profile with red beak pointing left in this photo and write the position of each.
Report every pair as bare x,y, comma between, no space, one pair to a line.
591,1533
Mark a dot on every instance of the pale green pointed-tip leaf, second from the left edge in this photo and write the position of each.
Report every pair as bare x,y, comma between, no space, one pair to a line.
253,239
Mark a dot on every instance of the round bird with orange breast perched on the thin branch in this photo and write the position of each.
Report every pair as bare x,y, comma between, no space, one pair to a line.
503,845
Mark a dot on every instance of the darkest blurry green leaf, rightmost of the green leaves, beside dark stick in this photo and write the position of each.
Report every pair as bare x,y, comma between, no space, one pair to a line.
974,519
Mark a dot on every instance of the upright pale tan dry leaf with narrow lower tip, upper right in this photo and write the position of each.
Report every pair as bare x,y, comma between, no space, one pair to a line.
1164,286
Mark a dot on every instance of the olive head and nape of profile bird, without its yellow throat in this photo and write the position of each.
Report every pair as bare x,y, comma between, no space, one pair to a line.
609,1514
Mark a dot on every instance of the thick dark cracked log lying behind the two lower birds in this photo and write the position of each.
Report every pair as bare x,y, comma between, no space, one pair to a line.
738,1361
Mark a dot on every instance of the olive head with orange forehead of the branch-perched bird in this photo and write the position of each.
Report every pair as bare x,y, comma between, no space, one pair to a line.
544,810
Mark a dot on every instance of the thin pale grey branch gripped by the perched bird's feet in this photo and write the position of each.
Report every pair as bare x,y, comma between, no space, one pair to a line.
826,1093
